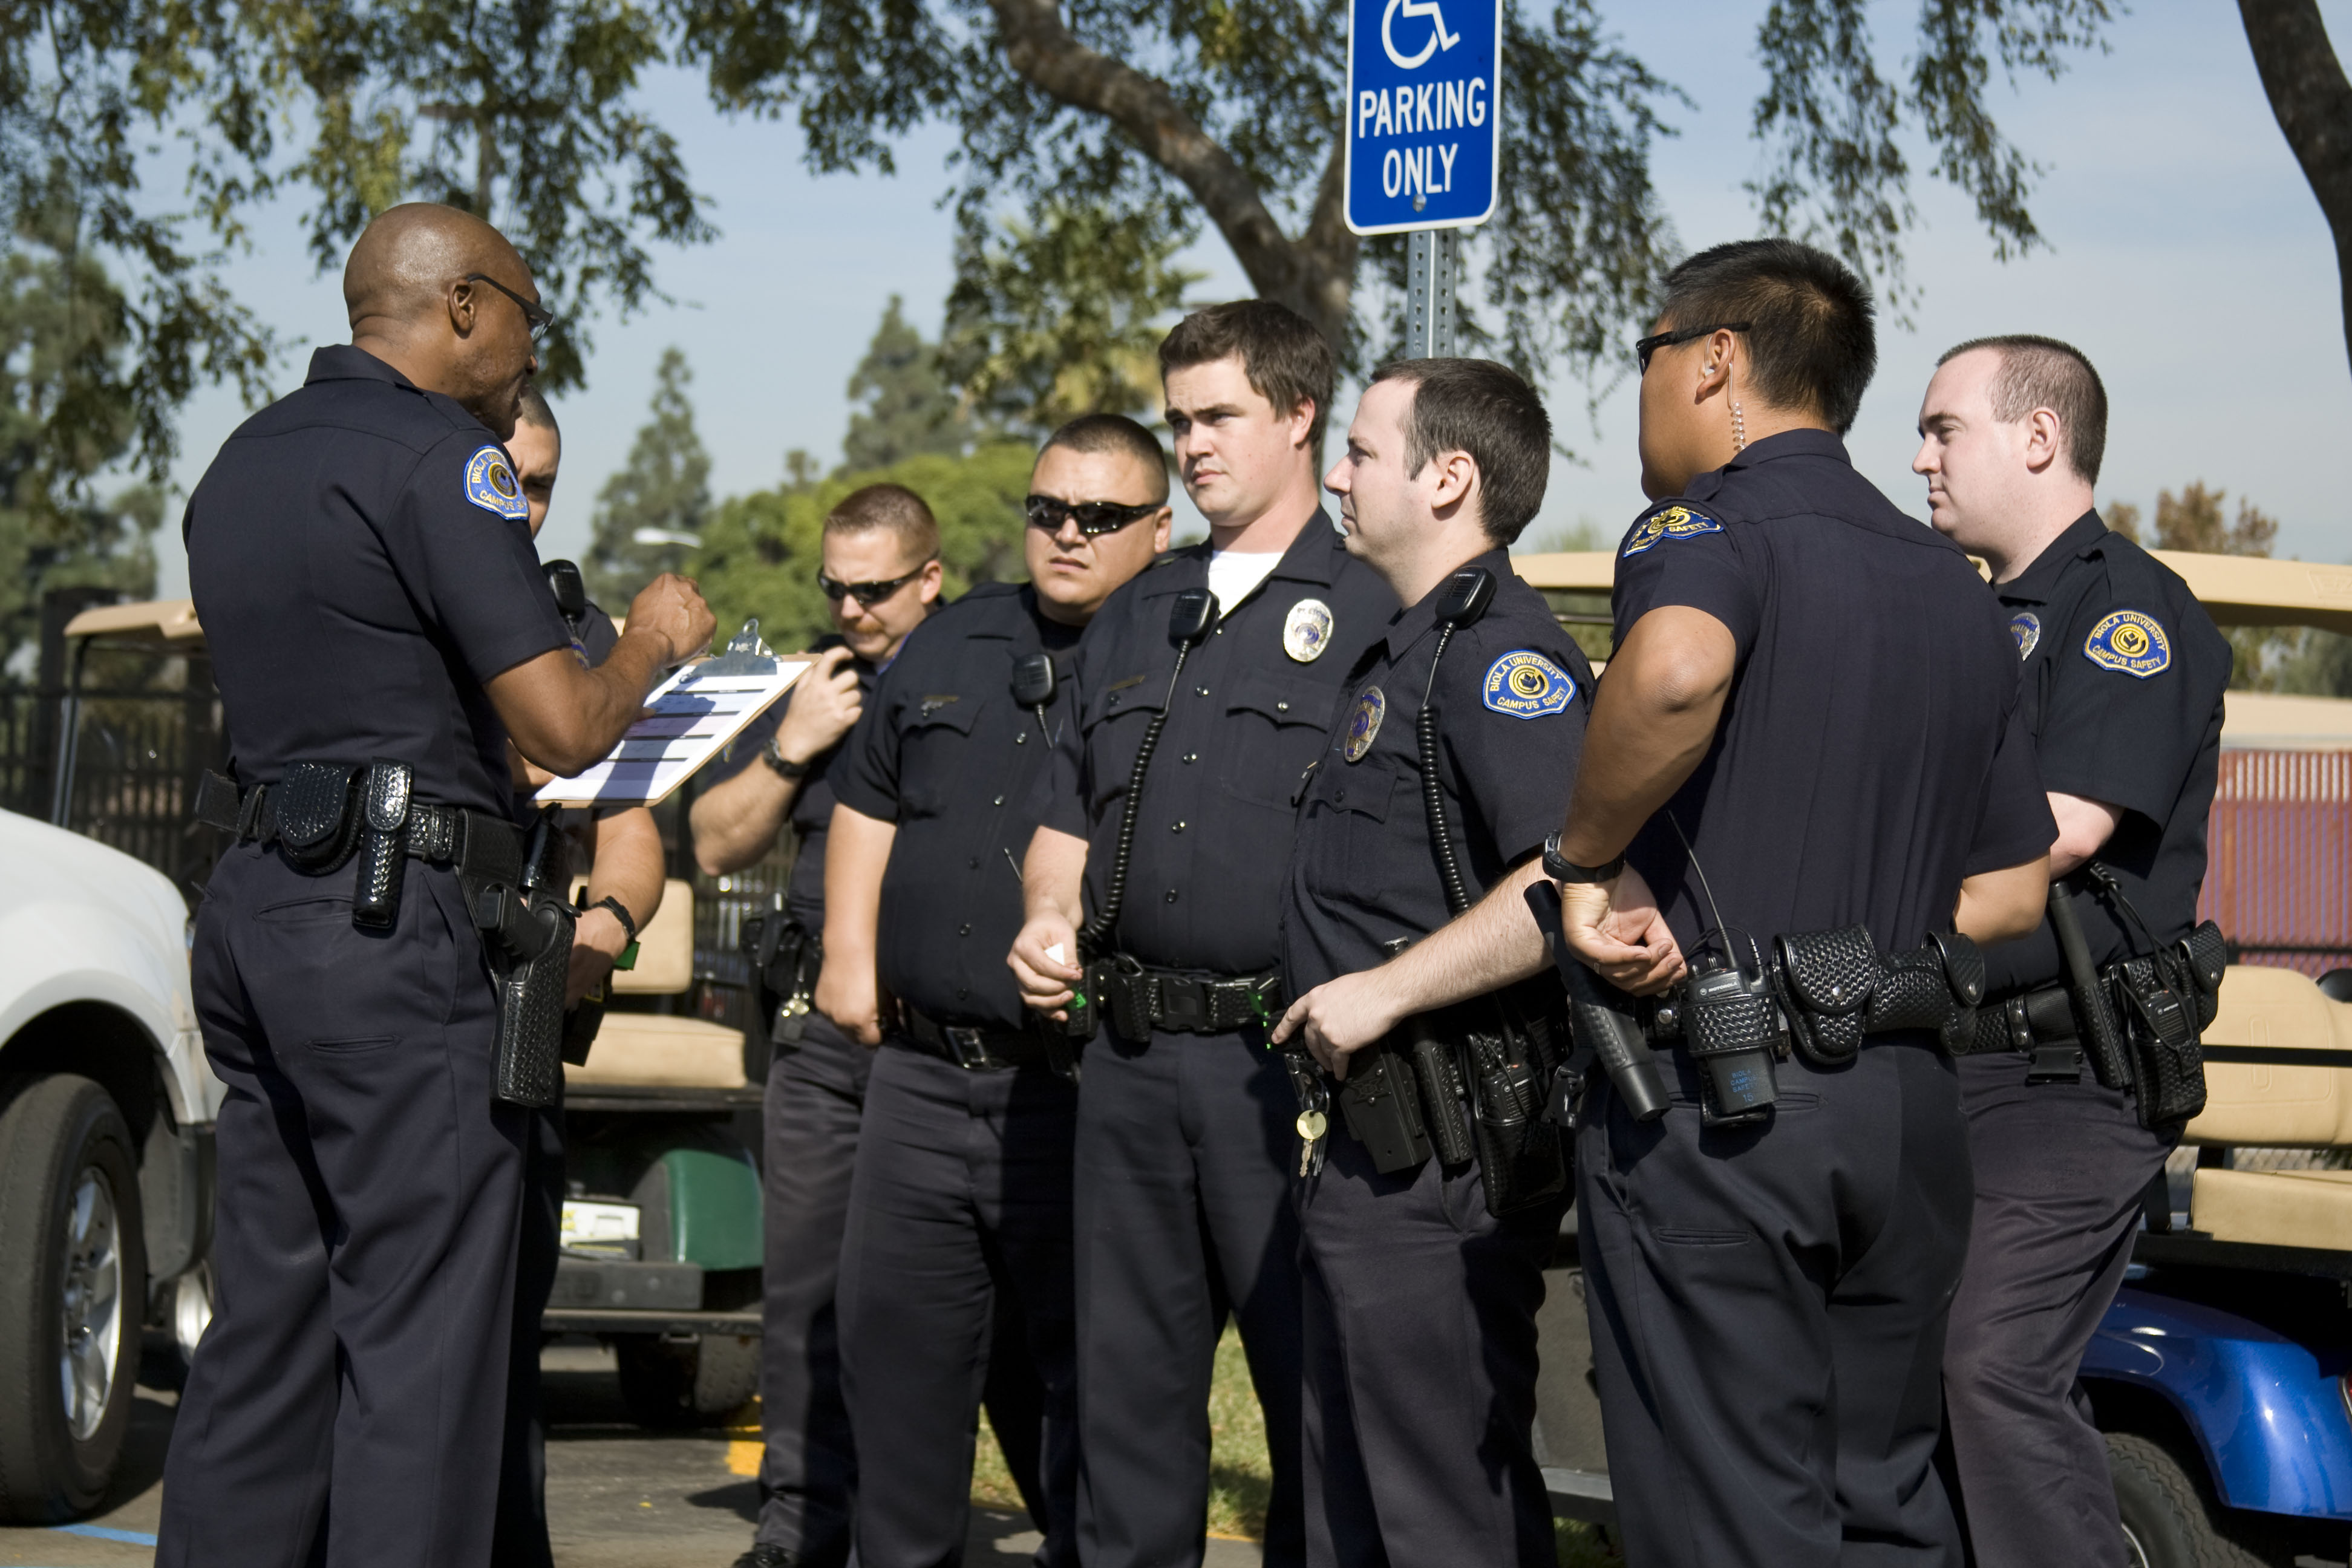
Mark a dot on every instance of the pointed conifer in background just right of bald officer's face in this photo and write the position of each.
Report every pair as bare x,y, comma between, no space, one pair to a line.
650,514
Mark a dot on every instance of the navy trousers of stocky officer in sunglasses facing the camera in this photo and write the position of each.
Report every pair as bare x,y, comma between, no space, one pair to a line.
961,1200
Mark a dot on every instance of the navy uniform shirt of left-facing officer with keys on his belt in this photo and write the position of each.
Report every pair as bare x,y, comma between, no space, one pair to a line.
1509,711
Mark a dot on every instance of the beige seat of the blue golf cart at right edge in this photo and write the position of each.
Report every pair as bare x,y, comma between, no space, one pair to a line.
2278,1106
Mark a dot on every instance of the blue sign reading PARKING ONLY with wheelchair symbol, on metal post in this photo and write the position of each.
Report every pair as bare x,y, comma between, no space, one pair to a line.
1424,114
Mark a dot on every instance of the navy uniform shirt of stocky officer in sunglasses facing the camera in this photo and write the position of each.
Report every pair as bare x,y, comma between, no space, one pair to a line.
944,753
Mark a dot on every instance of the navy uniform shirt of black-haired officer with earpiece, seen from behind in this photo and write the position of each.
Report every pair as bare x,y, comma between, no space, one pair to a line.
1873,749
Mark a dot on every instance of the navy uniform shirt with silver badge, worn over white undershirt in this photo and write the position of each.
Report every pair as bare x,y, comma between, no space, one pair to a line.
1222,798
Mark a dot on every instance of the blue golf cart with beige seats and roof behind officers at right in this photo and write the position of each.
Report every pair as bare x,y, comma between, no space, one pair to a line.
2224,1372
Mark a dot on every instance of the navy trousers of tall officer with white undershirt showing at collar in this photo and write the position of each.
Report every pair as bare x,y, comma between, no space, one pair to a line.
1184,1217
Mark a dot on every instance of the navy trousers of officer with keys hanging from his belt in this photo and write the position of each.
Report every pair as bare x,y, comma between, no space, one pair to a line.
1419,1442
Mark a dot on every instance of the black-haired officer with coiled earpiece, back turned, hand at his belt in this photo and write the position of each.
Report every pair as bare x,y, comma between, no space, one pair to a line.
1808,739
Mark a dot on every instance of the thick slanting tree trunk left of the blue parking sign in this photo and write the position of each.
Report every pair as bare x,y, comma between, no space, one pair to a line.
1311,274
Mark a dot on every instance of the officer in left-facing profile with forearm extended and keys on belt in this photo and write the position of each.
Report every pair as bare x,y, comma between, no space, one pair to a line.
1419,1301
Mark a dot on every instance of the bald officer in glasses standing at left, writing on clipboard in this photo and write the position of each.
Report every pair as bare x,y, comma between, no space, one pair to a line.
368,589
